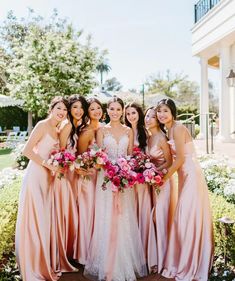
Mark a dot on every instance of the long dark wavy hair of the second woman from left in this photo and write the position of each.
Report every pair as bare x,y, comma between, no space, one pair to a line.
77,130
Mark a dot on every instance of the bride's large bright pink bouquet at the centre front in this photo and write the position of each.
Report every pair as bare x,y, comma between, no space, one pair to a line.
119,174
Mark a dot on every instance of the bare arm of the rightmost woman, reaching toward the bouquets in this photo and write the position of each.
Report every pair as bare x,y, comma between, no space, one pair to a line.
179,139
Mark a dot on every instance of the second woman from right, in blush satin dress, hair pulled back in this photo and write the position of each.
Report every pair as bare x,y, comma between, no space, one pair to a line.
159,151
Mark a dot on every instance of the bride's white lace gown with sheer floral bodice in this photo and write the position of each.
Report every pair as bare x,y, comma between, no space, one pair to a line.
116,251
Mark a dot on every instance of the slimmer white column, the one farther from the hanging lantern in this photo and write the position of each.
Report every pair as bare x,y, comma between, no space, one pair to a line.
204,97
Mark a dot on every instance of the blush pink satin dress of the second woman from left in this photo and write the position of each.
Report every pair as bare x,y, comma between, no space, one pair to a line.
66,215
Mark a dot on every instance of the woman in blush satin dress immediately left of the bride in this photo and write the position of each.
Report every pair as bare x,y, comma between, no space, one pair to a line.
86,187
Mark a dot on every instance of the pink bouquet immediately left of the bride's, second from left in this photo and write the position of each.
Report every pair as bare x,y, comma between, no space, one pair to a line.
94,157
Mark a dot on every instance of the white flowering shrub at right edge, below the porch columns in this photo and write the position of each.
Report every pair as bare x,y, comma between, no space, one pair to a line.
219,176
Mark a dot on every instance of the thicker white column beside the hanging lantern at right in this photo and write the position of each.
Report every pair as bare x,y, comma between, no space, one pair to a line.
224,96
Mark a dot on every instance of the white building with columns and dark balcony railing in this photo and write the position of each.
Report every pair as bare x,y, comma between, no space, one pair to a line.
213,40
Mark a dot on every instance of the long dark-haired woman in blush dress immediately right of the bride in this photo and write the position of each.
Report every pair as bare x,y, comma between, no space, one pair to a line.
134,118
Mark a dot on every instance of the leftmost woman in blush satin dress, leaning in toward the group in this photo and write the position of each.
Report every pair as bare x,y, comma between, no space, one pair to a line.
35,235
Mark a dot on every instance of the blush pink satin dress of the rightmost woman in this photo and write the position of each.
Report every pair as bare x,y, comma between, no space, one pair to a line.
190,249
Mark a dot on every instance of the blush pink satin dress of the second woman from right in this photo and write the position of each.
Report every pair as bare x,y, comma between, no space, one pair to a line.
161,217
